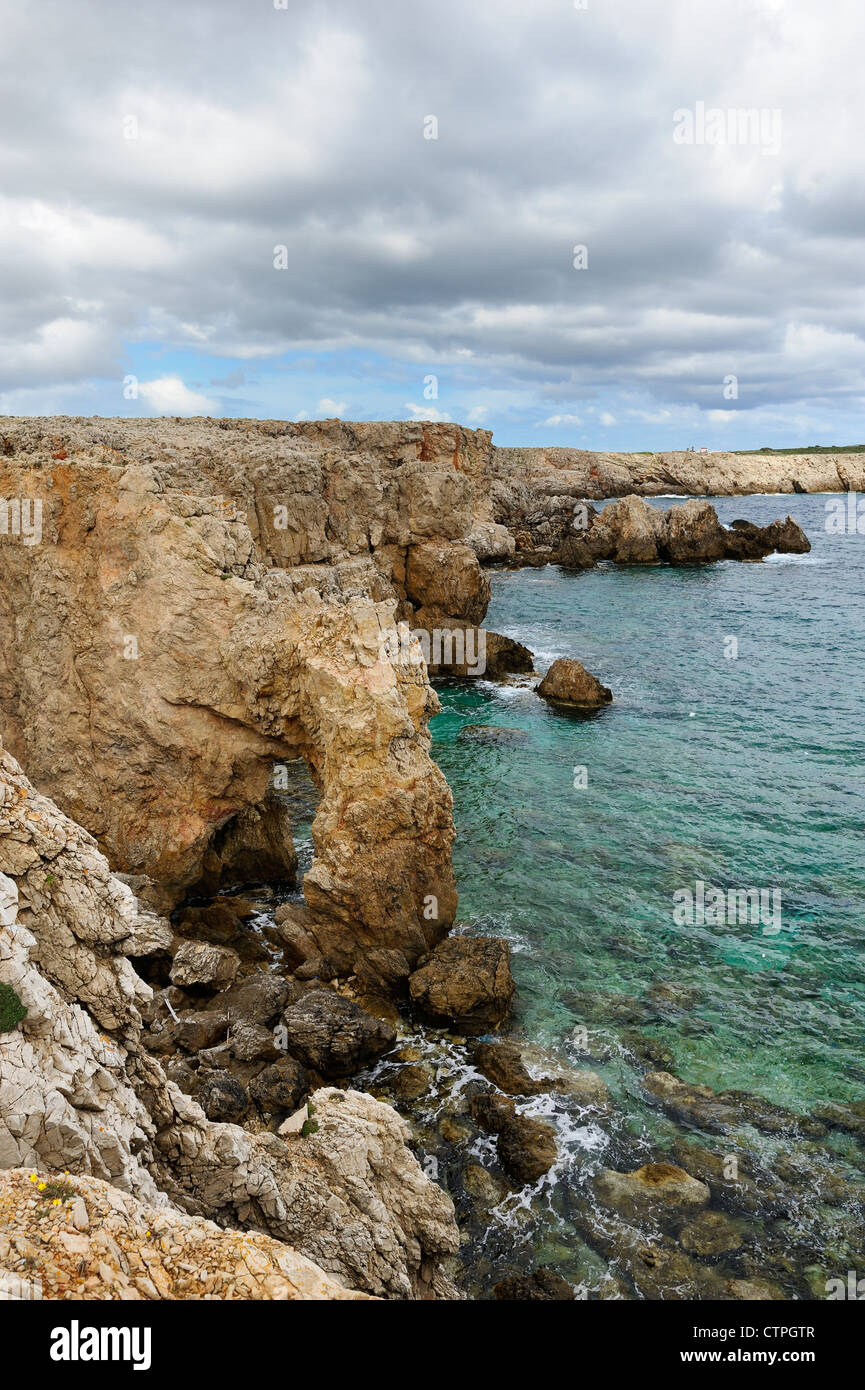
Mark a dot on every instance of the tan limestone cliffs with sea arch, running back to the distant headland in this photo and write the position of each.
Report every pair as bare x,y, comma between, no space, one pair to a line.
208,598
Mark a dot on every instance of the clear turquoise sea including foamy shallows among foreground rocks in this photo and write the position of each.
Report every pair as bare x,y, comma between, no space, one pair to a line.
742,774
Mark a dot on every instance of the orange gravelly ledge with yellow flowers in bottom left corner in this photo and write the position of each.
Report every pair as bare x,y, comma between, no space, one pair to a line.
98,1243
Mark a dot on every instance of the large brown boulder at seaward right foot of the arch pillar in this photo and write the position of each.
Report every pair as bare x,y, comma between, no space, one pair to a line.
465,983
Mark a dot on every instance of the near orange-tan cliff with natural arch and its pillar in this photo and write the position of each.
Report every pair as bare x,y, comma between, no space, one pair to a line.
161,657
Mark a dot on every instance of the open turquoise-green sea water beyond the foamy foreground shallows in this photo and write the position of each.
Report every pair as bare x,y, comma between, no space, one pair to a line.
746,772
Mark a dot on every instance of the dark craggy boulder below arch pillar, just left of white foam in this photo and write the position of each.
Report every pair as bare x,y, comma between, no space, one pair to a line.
334,1036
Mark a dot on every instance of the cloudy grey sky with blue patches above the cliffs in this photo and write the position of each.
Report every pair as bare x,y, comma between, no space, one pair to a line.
533,216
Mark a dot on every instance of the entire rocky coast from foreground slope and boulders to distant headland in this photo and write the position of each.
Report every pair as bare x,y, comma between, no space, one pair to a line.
215,603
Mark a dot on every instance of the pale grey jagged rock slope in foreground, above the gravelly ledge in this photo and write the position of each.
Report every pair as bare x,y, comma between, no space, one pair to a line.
79,1090
